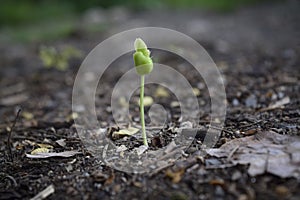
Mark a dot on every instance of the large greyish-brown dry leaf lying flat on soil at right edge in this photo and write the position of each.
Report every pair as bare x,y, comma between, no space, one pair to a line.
265,152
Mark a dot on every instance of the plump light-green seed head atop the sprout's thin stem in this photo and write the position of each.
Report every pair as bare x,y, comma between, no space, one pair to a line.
141,57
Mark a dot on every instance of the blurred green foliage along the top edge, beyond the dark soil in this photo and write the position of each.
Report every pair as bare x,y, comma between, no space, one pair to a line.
45,20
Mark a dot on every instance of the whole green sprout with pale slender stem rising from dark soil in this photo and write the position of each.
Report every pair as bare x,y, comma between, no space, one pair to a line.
143,65
